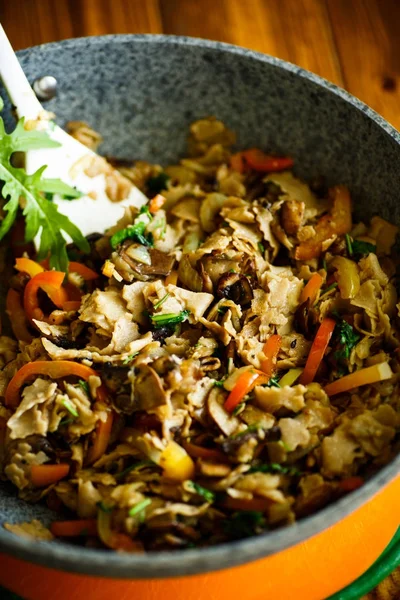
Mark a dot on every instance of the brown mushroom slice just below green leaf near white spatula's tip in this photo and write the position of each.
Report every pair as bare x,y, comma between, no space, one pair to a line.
160,263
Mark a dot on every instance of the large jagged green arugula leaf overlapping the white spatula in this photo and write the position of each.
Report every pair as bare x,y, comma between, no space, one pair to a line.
40,214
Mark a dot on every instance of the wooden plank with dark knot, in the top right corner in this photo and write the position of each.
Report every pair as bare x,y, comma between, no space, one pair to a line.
368,42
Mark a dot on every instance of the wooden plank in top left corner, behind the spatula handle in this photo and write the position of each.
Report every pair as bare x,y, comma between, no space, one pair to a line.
31,22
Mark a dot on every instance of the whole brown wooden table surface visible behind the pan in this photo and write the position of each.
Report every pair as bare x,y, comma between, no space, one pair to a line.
354,43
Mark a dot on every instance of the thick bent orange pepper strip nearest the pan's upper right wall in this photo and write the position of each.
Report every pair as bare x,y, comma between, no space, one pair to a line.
338,222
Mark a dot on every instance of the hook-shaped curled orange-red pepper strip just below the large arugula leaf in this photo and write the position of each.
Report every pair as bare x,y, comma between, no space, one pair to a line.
51,283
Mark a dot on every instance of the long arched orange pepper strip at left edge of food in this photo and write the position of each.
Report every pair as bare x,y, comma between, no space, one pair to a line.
54,369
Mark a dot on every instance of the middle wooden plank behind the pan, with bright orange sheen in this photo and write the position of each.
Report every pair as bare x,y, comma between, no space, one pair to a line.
298,31
